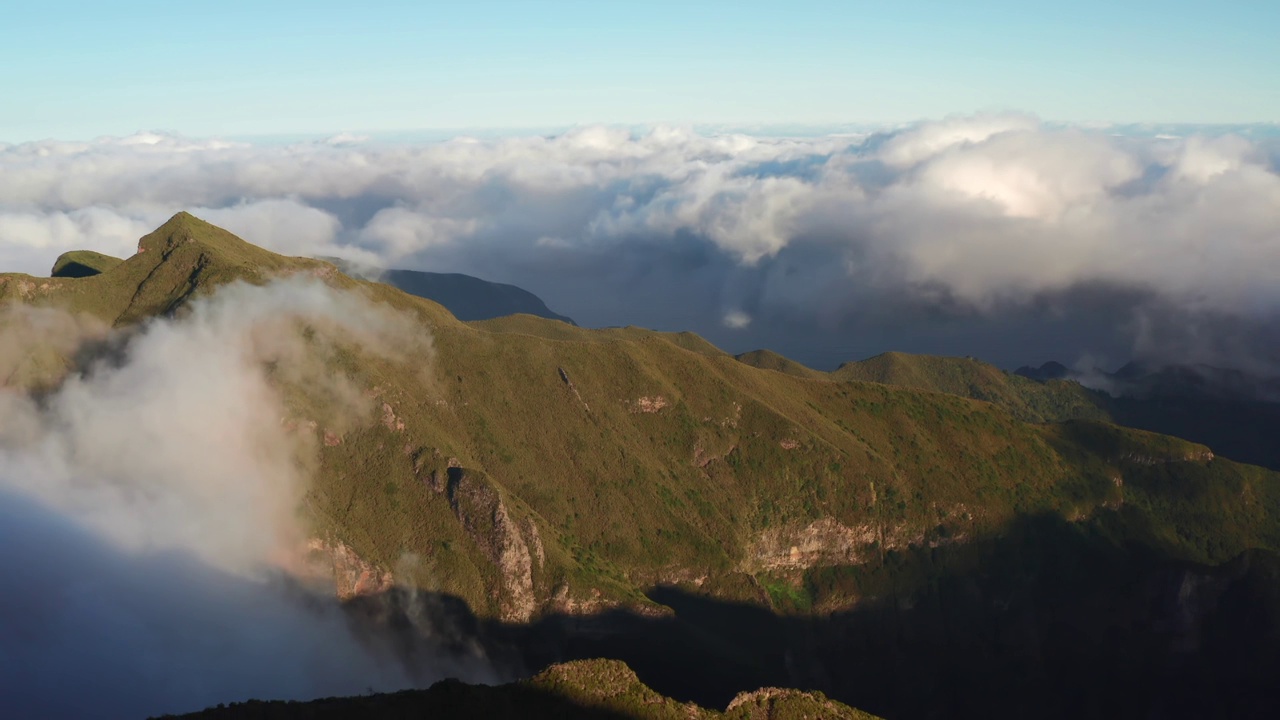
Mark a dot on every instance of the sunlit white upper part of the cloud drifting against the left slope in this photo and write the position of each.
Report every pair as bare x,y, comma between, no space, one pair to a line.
182,446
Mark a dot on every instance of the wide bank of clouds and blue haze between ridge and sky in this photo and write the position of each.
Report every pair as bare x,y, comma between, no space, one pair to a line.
993,236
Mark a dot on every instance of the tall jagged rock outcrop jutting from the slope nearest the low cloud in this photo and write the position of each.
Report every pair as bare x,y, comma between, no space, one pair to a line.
483,513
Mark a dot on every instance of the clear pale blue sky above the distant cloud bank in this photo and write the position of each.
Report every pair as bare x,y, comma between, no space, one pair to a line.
230,69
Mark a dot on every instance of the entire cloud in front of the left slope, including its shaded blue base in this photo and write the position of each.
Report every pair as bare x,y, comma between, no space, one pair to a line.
149,512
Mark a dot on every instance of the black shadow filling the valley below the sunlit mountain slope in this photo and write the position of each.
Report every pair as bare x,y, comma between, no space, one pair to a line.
1050,619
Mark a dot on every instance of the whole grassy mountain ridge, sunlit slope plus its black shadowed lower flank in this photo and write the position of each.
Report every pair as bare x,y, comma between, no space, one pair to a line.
724,525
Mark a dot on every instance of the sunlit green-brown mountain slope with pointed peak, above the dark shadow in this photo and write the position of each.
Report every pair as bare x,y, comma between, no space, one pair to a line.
633,461
